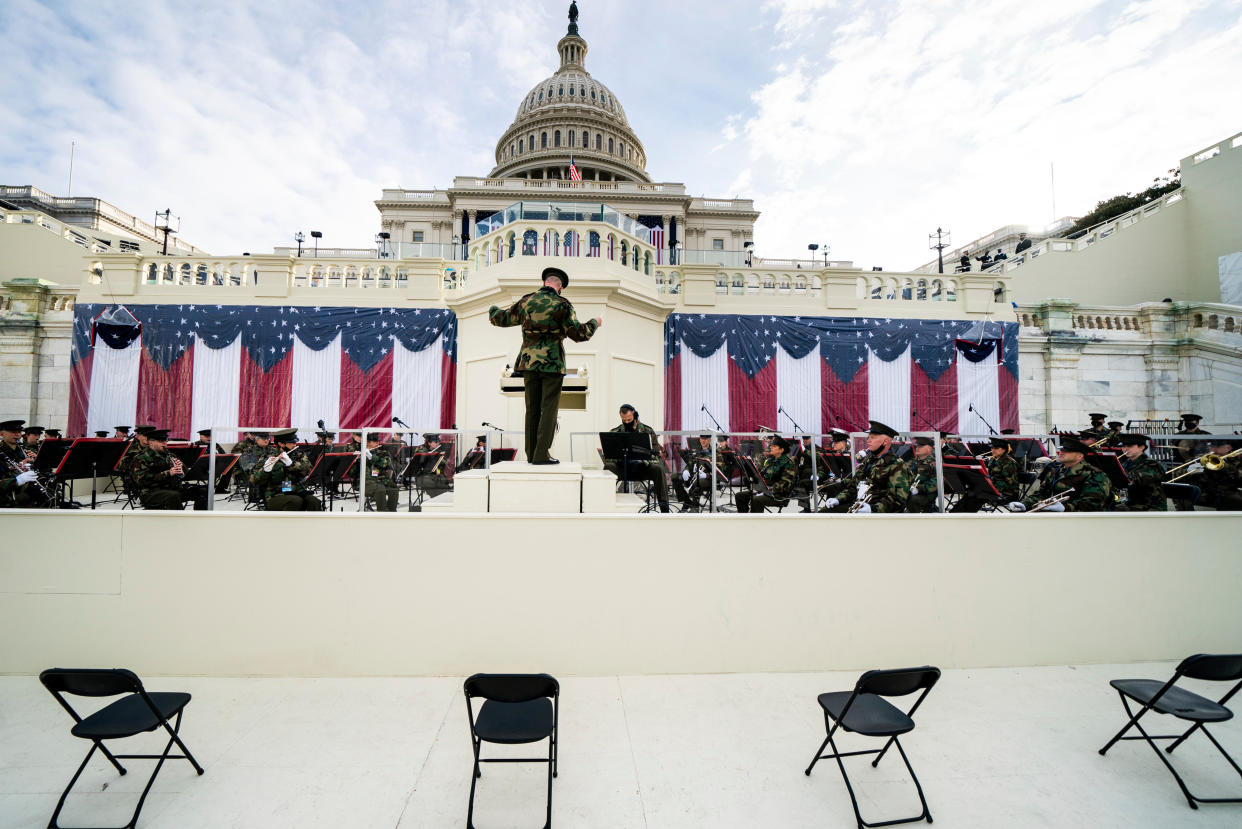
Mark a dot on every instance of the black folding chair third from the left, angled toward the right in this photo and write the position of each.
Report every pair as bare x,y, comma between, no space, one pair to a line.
865,712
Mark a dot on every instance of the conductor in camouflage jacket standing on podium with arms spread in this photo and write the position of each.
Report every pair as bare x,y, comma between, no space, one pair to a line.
547,319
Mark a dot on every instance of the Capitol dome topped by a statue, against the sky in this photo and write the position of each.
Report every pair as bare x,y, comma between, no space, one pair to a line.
571,116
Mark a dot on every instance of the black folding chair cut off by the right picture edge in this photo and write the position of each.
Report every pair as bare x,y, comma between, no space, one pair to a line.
1167,698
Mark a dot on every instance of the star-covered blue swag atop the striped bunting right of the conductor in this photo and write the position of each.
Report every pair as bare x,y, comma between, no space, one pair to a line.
752,341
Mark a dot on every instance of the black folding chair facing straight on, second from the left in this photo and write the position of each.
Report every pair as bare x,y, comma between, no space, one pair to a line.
517,709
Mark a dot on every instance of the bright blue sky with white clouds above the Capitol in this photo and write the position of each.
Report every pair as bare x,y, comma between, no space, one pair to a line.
859,124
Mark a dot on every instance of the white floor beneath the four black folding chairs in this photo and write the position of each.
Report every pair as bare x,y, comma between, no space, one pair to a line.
998,748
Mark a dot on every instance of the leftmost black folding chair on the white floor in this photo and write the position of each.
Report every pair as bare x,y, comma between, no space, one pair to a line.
135,714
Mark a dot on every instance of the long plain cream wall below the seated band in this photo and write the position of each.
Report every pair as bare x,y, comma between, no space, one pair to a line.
294,595
